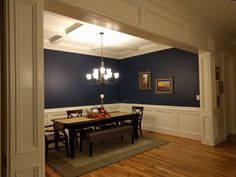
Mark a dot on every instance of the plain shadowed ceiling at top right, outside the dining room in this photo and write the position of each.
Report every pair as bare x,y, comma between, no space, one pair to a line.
219,14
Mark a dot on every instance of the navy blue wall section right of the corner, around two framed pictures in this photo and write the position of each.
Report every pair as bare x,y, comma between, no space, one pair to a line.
181,65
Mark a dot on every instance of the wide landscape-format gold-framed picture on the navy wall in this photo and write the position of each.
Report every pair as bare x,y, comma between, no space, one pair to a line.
164,85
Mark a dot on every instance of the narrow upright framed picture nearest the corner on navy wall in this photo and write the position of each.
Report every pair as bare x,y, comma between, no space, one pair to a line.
145,80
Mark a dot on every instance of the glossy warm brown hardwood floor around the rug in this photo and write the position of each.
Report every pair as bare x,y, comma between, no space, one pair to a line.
180,158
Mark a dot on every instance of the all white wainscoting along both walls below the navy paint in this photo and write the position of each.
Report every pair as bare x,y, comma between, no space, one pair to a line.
173,120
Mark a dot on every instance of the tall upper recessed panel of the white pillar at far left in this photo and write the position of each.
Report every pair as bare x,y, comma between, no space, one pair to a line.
25,80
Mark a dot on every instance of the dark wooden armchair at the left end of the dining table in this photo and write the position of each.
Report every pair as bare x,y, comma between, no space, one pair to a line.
56,136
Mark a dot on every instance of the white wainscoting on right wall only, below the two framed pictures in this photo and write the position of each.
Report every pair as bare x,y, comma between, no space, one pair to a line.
173,120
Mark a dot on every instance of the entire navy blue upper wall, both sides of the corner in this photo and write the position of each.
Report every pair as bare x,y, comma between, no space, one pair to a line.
66,84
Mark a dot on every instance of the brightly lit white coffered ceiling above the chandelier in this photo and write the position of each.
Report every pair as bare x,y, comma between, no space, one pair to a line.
66,34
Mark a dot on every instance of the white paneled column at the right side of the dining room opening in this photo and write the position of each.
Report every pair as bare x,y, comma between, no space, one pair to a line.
206,66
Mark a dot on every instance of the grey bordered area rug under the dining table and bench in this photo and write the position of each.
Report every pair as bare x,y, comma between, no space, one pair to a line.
104,153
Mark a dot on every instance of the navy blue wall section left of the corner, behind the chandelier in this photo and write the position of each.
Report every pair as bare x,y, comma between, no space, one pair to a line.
66,84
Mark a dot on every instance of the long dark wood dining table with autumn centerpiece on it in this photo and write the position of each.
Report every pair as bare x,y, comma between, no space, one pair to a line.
84,122
